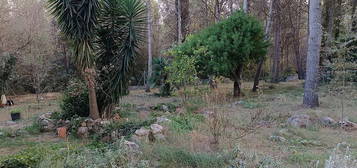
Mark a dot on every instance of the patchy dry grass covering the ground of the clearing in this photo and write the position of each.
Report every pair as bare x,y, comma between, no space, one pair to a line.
188,141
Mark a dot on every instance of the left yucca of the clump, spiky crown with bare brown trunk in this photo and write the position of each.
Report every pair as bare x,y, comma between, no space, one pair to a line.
77,20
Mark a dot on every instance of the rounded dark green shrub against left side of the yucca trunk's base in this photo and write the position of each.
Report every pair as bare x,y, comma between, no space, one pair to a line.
75,101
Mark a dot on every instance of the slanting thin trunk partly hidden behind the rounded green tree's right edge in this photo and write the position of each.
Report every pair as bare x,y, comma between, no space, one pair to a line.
261,61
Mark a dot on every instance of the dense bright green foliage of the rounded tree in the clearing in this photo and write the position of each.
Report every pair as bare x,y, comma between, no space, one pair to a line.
223,47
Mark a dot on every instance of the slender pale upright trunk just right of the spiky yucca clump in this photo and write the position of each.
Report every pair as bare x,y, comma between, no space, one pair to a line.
149,45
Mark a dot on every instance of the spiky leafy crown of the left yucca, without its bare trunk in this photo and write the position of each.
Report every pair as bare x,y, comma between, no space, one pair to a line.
77,20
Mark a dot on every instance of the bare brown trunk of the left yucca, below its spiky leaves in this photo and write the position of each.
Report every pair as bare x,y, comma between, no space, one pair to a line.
89,74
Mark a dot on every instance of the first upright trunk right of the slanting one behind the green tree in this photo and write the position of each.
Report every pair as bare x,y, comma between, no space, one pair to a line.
277,46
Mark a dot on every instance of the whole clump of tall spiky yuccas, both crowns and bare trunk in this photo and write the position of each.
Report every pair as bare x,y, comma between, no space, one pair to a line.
114,29
